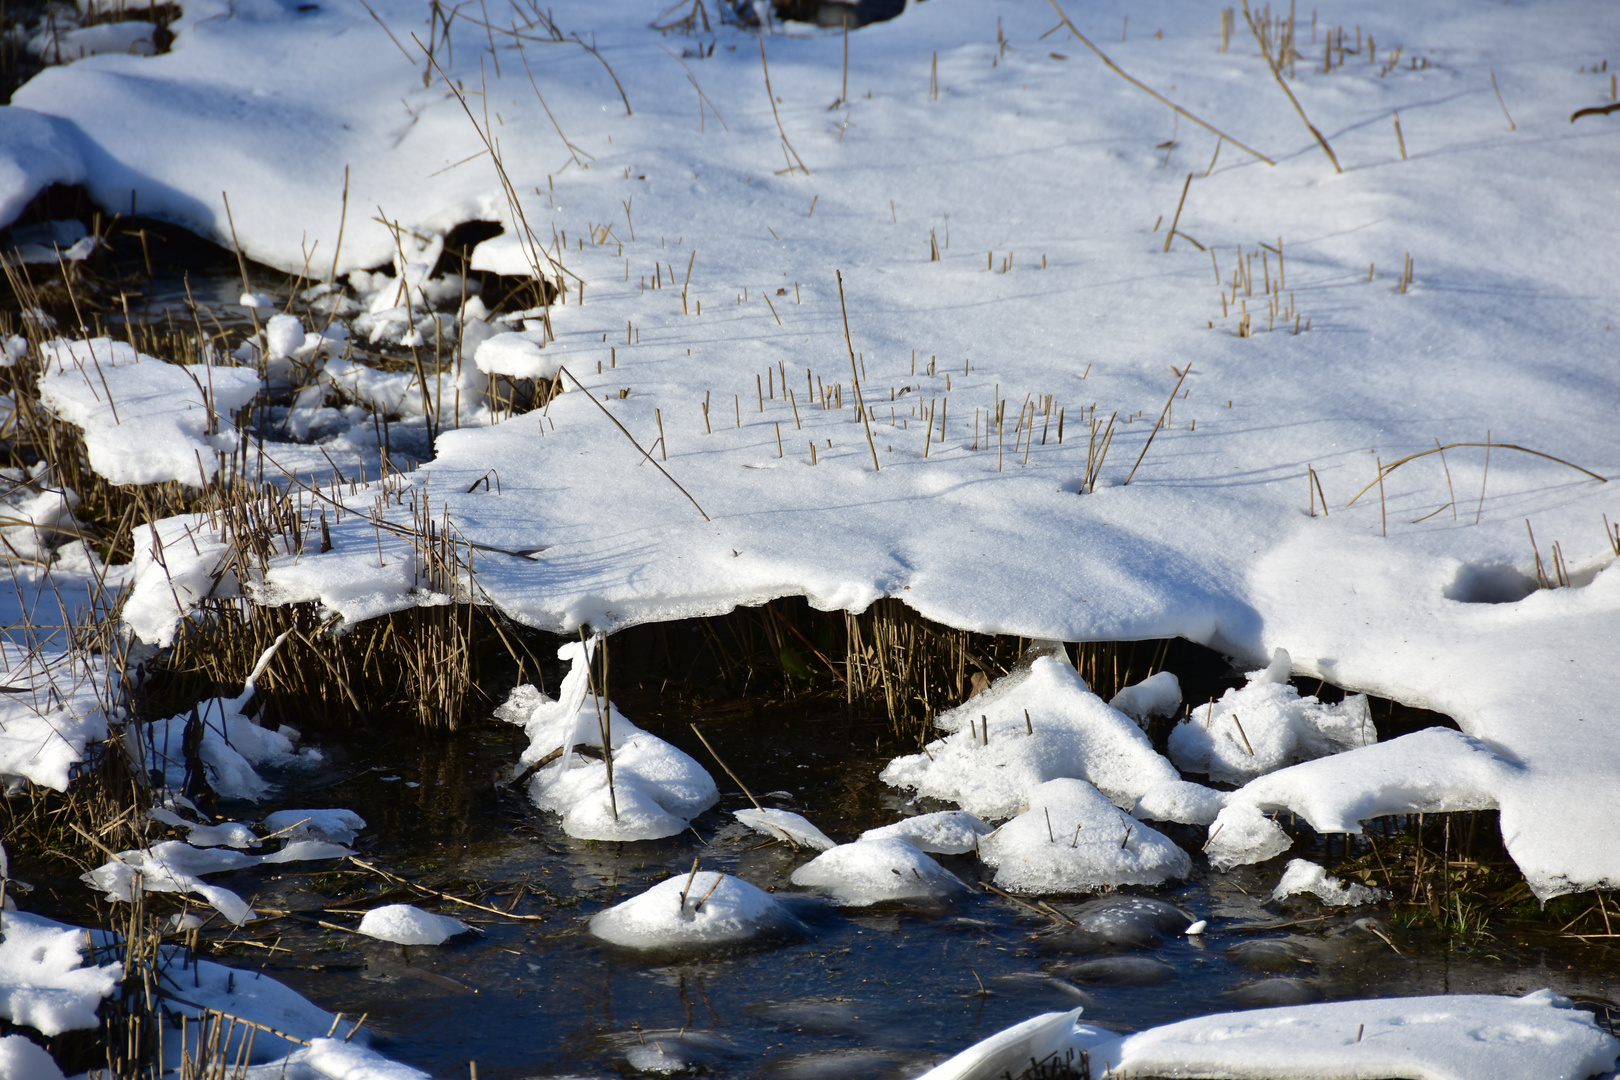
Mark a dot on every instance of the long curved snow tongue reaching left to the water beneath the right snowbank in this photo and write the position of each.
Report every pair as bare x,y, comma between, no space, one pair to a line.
1430,772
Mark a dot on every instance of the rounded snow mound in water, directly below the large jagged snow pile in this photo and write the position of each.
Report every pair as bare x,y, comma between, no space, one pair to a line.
1073,840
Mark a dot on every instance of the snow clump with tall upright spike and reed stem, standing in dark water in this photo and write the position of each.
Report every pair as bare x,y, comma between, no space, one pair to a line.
657,789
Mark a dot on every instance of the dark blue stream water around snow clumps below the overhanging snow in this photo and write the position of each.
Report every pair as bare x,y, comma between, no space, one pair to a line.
872,993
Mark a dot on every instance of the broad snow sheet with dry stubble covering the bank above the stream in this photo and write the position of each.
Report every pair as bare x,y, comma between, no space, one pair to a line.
1047,184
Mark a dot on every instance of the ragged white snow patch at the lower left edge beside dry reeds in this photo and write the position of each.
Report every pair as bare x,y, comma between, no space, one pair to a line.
45,984
